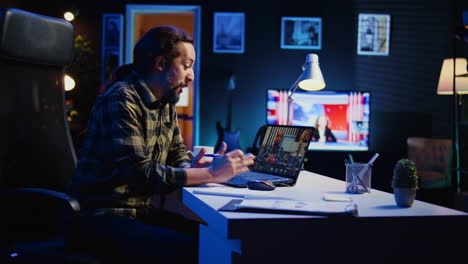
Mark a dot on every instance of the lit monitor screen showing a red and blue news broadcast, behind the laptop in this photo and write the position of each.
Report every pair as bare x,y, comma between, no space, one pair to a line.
340,118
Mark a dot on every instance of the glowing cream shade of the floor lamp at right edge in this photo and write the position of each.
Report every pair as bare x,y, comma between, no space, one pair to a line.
445,86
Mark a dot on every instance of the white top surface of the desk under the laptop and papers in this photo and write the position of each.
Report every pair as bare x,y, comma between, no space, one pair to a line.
309,187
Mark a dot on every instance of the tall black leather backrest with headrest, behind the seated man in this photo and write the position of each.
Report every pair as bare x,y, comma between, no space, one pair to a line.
35,143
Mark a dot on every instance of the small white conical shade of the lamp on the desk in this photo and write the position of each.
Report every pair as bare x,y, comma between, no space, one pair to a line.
311,78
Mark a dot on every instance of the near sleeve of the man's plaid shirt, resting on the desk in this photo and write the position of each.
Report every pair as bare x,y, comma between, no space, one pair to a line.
131,159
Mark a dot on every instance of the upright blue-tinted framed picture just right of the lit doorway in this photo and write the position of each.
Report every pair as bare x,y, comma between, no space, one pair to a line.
229,32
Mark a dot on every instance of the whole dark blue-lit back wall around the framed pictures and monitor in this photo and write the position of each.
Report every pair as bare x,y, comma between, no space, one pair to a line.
403,84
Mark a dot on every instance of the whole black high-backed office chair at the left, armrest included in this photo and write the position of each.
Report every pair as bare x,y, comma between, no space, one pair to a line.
36,154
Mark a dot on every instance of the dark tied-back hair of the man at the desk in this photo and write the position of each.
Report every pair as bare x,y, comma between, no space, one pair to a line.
158,41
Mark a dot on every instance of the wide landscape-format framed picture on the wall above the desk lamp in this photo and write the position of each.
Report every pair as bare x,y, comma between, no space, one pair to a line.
301,33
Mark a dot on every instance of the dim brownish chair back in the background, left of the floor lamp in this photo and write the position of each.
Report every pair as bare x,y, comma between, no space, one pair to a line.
433,160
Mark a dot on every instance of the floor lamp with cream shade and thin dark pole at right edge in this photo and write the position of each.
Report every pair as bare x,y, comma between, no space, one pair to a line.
453,80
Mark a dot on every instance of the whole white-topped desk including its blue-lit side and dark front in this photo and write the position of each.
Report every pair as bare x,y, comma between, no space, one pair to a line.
229,232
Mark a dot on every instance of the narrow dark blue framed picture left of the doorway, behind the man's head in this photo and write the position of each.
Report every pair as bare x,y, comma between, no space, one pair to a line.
112,44
